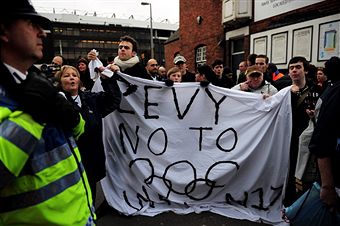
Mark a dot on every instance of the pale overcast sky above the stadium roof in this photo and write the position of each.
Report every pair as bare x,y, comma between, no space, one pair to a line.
161,9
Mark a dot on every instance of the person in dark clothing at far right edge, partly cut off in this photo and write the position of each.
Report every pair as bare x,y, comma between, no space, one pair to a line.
325,142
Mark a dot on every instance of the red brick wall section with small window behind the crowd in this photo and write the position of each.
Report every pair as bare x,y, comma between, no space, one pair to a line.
192,34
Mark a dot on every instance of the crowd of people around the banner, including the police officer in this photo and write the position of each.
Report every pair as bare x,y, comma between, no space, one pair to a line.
51,135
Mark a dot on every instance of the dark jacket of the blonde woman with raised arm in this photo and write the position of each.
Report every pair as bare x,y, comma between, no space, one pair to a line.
94,107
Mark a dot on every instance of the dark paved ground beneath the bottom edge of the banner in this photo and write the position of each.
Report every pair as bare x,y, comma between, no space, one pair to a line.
113,218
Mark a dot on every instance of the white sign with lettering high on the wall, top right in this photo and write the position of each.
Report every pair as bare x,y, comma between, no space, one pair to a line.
267,8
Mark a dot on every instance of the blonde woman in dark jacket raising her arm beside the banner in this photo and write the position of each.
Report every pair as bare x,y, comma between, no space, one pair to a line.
93,107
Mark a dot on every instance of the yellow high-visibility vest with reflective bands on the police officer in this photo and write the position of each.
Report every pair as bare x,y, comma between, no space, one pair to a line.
42,181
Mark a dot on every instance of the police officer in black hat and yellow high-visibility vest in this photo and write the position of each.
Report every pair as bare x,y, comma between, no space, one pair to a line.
42,181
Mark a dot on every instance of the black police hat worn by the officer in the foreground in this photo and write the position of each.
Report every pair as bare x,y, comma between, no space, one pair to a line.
24,9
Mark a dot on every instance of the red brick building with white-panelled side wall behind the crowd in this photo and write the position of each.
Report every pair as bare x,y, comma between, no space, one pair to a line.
232,29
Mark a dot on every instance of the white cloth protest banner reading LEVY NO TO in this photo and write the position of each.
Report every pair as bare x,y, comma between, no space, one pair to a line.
188,148
